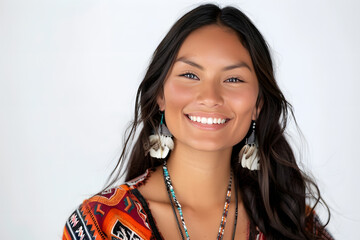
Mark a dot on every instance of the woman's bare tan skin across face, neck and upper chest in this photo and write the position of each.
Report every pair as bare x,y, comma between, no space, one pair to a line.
212,76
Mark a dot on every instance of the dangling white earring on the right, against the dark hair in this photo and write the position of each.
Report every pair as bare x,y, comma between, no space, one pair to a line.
248,155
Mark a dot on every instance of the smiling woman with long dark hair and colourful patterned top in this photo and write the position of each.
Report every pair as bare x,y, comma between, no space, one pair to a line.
211,159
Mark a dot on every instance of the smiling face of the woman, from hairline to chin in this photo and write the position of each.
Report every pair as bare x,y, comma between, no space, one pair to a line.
210,93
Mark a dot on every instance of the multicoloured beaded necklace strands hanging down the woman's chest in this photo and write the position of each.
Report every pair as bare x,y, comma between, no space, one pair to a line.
174,201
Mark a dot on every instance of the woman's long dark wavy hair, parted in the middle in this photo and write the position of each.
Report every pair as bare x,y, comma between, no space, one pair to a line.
274,197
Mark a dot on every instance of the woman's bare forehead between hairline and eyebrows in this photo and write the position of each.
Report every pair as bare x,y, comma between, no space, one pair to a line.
216,44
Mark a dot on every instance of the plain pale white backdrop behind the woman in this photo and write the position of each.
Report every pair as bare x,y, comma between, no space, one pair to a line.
69,71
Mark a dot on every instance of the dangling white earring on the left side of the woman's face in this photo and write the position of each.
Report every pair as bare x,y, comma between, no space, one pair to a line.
161,141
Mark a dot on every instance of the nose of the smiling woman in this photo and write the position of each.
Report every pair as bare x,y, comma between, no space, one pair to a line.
210,95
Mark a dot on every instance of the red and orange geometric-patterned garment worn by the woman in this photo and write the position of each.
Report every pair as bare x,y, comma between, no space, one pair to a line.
122,213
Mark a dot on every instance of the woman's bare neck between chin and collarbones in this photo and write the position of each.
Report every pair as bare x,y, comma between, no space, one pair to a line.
199,175
